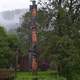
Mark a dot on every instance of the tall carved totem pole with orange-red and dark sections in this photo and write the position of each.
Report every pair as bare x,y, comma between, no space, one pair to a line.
33,53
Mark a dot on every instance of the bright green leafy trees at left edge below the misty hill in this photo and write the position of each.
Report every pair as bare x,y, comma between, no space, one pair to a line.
7,53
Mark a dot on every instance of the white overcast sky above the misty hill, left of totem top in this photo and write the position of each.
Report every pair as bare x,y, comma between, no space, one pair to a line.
14,4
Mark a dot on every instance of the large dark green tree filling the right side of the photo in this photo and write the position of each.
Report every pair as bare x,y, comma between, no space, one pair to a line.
62,45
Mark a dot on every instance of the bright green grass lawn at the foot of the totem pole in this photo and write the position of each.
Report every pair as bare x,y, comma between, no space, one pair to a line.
48,75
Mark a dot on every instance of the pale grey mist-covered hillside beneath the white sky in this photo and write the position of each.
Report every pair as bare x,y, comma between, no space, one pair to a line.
11,19
